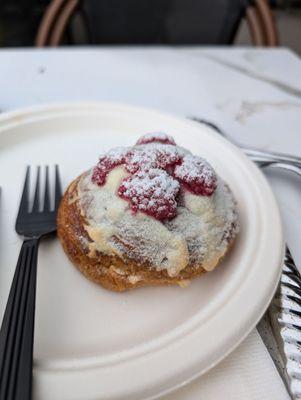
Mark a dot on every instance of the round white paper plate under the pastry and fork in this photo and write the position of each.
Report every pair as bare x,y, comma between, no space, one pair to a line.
94,344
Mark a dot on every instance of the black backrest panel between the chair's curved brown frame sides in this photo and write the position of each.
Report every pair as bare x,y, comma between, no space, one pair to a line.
163,21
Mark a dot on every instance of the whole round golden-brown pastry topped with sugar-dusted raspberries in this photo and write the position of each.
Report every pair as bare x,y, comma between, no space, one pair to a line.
150,214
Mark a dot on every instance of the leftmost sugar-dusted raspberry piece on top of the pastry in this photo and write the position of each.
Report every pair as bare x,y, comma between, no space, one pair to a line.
106,163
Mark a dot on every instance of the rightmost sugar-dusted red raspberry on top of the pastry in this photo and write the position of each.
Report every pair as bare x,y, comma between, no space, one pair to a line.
197,175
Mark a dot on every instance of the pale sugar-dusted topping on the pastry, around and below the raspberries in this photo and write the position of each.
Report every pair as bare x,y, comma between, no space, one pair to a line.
198,235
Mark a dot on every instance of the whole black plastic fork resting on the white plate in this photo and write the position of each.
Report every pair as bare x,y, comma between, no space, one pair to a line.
17,330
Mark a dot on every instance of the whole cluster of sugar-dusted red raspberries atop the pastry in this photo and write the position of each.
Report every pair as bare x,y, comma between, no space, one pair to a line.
157,167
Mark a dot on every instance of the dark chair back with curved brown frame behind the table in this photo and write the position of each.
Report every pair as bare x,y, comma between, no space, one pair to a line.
155,22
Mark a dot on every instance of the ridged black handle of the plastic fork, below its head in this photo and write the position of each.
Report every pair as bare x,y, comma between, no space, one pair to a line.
17,330
